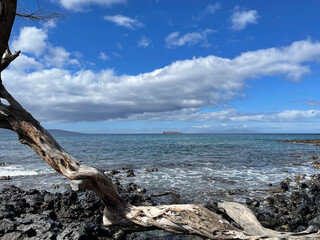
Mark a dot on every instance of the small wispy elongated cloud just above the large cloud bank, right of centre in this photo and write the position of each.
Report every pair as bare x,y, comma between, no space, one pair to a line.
175,40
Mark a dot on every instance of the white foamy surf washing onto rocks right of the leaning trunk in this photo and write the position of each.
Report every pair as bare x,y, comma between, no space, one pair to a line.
213,179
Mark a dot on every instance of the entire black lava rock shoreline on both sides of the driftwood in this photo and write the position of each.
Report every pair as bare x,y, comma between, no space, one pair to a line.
293,205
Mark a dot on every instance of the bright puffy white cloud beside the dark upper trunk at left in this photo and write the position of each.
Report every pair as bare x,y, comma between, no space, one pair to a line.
31,40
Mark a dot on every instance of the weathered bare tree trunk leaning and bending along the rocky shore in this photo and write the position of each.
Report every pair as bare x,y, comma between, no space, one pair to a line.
187,219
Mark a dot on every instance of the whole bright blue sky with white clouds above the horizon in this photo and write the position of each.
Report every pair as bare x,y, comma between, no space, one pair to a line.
148,66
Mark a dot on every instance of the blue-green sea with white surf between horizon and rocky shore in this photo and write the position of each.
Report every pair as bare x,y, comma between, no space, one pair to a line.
199,167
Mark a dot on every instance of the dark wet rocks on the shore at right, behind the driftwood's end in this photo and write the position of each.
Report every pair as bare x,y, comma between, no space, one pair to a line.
293,206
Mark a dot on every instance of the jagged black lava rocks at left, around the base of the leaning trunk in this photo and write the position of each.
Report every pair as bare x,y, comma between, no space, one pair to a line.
33,214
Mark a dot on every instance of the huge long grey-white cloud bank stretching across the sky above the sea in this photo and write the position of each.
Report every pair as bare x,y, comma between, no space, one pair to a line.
178,90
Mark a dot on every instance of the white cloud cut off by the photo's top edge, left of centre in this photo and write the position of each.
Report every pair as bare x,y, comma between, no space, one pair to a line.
78,5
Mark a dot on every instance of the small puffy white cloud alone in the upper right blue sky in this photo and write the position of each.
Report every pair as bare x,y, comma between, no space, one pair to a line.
241,18
